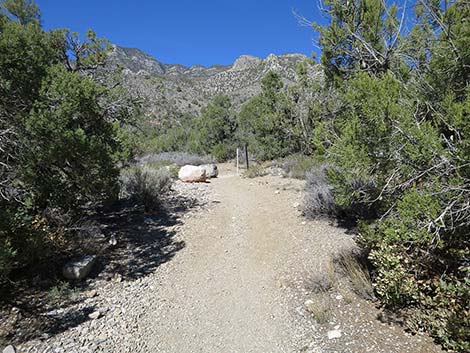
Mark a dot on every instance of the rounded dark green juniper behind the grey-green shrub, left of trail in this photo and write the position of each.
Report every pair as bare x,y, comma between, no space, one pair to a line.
90,143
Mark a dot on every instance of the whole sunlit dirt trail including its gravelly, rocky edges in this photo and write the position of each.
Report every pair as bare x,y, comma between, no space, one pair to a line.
234,278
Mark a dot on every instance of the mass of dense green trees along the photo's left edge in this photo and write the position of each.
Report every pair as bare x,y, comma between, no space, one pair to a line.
60,133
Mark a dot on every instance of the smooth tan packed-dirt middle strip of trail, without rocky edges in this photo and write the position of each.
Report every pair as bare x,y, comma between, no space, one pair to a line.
225,294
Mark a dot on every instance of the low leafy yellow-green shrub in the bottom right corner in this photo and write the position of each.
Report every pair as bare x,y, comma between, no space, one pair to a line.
420,270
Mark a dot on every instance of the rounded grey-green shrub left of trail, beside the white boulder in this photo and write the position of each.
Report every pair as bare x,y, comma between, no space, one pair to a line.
145,185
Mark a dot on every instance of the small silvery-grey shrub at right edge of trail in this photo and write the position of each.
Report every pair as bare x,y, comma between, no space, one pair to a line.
318,196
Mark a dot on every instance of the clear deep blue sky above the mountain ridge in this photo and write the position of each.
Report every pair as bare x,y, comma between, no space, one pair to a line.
190,31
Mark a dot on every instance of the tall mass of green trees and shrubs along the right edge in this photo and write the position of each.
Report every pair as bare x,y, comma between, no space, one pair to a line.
398,148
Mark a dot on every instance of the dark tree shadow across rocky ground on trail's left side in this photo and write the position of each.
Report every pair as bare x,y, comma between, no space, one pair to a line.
144,241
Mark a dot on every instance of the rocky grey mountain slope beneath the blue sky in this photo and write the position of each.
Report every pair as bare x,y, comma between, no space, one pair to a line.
173,89
